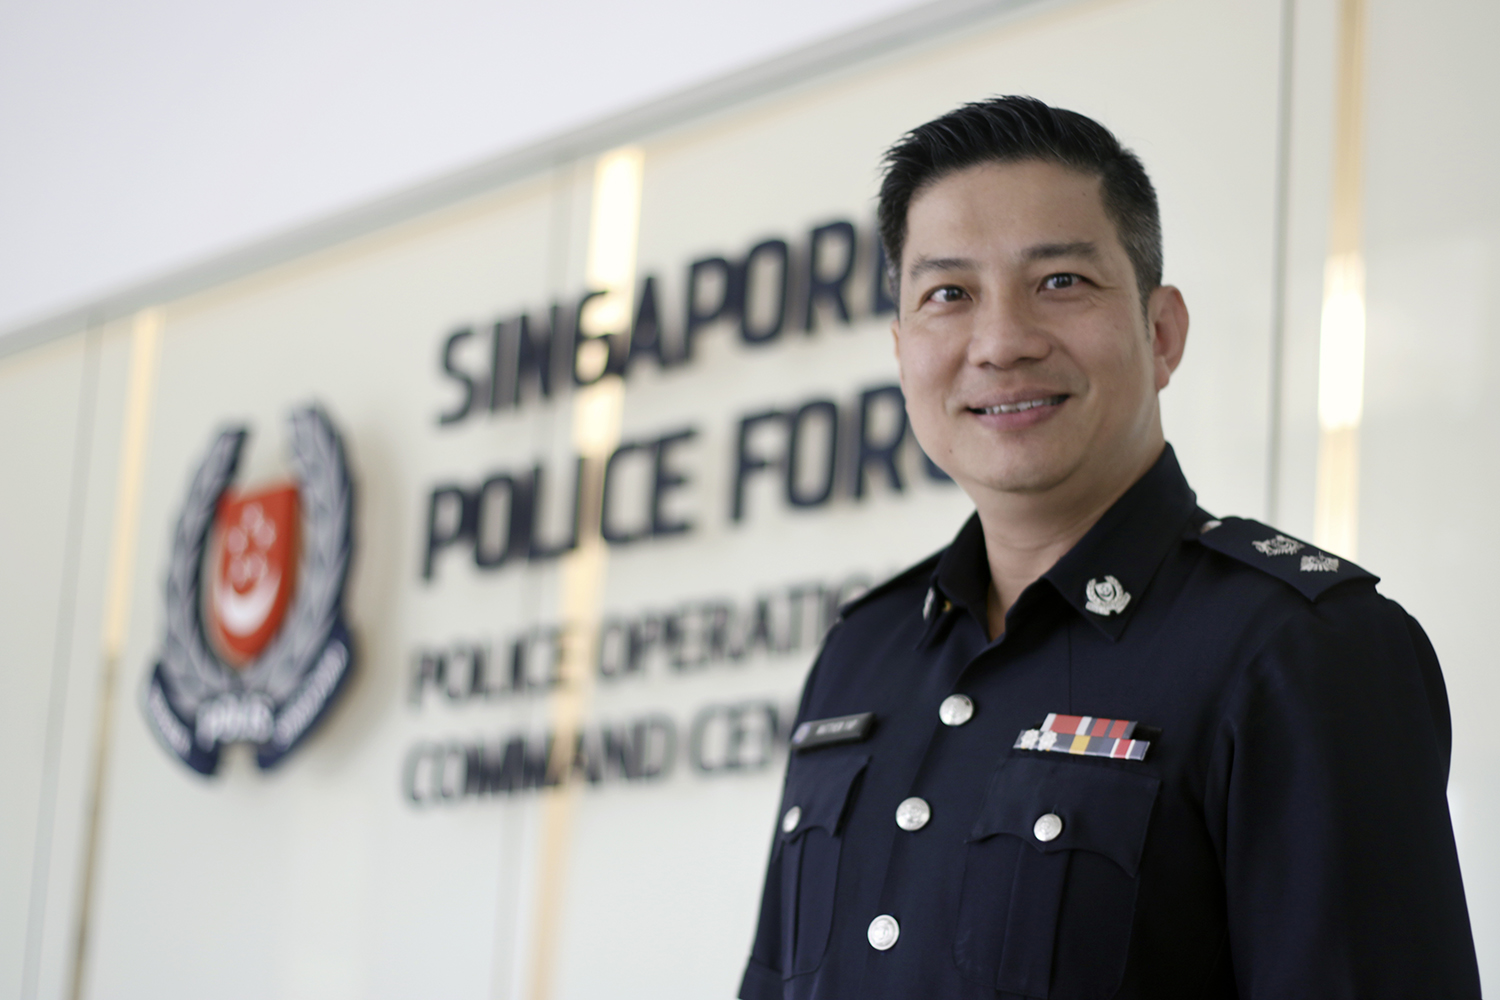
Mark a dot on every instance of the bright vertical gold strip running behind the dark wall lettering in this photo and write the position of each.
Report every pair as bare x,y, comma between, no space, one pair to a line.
598,413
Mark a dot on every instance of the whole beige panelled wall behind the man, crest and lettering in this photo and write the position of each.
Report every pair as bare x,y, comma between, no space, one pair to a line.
322,879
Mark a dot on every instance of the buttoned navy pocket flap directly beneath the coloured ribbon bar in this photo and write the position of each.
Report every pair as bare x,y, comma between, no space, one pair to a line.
1103,810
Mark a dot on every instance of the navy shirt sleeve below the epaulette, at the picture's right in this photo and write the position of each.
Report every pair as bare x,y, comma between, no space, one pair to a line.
1327,798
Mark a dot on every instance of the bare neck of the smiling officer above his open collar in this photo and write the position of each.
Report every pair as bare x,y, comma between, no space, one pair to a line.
1025,534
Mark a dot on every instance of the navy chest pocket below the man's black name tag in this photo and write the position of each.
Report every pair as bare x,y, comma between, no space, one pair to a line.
818,792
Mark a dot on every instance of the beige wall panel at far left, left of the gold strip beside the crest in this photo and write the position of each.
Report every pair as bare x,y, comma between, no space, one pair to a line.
62,422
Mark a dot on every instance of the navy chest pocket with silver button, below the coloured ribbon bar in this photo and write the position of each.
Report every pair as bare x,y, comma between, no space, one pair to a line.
1051,876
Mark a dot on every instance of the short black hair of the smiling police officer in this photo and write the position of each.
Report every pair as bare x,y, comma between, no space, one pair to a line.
1015,130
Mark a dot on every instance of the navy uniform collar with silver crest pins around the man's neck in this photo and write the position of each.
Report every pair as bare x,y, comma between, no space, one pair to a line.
1103,576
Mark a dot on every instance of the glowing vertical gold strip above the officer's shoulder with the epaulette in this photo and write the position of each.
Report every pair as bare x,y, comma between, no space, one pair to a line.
1342,350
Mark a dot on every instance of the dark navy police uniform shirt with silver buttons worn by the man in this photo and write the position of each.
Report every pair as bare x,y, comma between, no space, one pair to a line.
1285,836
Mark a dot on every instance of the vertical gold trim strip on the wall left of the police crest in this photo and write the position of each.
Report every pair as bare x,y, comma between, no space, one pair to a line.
142,382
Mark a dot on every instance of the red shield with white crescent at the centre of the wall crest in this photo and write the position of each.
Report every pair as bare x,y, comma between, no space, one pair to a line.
254,570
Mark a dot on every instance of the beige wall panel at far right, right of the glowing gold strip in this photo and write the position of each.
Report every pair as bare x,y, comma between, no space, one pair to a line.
1432,440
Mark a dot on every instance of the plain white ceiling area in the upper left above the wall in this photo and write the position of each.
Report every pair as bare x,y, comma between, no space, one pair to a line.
139,139
